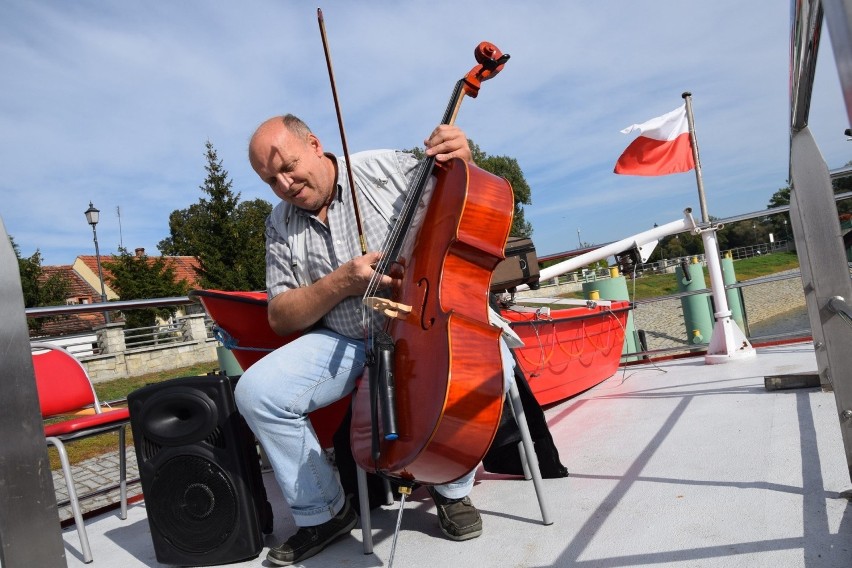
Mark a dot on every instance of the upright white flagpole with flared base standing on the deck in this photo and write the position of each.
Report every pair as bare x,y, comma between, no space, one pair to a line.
728,341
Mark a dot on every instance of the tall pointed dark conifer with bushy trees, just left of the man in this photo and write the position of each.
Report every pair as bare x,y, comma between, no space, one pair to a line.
226,236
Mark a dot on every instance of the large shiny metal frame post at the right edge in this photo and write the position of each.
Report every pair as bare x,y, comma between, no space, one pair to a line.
813,213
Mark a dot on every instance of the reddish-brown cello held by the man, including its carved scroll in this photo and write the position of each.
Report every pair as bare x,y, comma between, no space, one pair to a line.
430,402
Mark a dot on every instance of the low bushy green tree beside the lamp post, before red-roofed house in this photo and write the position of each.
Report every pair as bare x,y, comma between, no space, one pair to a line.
137,277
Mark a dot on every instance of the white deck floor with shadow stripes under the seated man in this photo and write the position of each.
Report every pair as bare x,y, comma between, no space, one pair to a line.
672,464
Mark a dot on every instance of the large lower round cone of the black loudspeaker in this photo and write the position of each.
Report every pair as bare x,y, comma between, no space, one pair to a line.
194,503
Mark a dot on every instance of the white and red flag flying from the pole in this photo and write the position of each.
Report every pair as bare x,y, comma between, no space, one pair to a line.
661,148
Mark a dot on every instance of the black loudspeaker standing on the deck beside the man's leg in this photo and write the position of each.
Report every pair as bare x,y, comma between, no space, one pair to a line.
200,472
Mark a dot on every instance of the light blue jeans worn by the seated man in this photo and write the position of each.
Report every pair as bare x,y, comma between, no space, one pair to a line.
275,396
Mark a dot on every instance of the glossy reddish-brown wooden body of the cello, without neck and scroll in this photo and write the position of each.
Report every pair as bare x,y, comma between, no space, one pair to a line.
448,372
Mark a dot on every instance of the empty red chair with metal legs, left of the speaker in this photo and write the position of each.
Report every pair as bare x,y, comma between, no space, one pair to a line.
64,388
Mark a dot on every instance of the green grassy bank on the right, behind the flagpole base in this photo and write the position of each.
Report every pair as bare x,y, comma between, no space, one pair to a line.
656,285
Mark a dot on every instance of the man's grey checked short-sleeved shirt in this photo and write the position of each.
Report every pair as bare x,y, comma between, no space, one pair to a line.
300,249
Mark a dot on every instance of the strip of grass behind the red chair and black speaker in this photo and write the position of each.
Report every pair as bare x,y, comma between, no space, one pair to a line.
117,390
